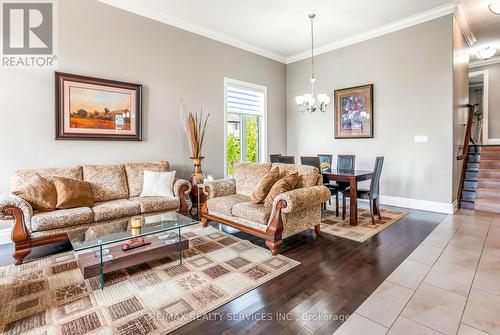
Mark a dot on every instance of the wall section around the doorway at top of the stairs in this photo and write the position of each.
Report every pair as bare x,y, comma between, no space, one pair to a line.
494,99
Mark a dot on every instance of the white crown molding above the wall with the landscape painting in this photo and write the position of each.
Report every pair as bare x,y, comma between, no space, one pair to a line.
196,29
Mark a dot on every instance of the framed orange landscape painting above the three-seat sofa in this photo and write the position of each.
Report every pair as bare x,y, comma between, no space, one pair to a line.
97,109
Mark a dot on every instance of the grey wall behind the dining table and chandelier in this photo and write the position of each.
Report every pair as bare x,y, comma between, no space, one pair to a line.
412,75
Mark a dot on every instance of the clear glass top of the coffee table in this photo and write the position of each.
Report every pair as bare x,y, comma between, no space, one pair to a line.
120,230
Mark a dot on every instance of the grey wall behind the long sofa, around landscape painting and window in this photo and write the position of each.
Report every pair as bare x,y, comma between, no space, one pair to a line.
99,40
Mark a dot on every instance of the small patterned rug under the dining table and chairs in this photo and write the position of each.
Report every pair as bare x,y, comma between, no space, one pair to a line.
334,225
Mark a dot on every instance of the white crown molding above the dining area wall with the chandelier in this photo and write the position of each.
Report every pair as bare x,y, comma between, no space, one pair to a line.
410,21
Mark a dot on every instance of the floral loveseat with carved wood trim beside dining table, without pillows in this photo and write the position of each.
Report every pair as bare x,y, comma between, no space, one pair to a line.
228,202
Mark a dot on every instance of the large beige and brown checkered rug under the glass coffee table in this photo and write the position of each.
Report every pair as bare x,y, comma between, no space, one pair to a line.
50,296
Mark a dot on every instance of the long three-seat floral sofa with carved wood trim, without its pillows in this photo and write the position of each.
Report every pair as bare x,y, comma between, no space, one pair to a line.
115,189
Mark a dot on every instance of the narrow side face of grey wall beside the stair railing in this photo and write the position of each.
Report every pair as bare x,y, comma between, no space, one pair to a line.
460,98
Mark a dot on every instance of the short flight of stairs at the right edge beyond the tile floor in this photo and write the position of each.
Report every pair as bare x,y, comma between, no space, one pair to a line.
481,182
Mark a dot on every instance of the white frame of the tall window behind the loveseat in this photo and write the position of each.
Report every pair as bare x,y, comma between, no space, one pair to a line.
263,145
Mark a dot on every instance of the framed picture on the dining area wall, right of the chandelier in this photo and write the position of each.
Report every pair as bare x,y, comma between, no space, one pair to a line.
354,112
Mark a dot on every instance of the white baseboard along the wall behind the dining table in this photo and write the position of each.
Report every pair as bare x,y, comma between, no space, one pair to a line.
425,205
